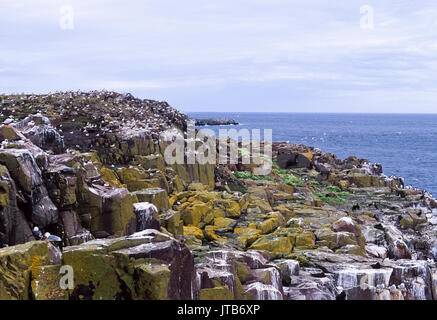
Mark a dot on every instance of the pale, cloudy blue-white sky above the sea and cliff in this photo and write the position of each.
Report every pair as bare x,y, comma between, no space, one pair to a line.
228,55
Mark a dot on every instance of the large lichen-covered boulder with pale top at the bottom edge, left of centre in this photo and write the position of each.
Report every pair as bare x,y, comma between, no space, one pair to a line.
145,265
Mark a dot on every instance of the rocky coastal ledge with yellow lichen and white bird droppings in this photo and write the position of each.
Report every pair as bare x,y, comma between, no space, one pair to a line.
83,185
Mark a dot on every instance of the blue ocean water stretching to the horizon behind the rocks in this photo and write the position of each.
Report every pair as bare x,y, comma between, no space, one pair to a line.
404,144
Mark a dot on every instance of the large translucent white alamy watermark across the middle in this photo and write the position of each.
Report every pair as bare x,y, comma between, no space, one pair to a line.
233,146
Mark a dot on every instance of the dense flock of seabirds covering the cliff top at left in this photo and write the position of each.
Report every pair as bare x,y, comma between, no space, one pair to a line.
102,111
